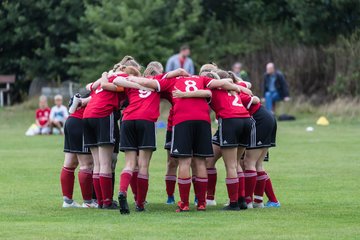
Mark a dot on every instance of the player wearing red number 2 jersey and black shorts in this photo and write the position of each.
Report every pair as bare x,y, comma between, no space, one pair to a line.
233,135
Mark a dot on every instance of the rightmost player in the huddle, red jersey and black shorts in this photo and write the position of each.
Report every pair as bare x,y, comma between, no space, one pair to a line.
263,137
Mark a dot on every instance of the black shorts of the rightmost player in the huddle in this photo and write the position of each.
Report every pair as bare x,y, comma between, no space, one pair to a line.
263,135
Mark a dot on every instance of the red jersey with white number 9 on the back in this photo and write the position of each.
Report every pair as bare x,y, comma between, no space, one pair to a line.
143,105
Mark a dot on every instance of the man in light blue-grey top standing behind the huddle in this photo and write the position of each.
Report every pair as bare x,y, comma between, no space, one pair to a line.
181,60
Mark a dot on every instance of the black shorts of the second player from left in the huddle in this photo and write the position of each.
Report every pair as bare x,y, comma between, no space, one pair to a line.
99,131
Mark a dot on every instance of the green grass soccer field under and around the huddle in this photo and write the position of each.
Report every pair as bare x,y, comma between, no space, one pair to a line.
315,176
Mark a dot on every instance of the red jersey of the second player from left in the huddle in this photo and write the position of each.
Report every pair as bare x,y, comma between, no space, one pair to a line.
102,102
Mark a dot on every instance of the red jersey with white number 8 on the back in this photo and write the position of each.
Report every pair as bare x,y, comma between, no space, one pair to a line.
187,109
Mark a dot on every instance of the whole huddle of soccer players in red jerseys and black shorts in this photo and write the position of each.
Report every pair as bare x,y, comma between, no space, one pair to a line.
246,131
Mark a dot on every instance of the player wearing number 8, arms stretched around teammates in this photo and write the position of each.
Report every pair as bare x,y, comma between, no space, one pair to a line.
191,137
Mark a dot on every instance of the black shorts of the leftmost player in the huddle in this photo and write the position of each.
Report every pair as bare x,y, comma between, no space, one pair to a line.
74,136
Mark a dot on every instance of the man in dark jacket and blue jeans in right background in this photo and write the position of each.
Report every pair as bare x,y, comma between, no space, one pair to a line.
274,86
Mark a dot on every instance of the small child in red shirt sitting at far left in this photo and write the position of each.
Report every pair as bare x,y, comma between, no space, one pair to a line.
42,117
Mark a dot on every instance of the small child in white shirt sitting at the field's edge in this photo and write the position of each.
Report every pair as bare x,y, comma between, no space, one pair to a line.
58,114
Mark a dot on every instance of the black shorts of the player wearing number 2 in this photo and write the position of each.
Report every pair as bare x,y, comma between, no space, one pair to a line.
233,132
